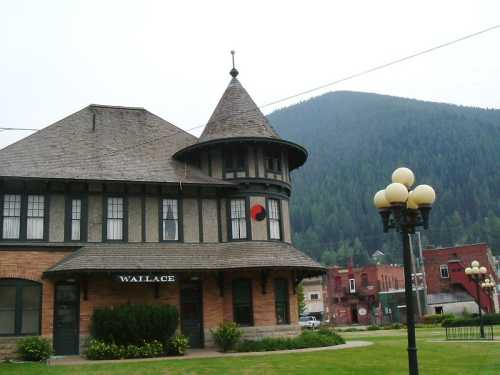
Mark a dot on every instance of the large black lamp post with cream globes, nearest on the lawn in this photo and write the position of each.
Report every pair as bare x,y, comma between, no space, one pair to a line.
405,210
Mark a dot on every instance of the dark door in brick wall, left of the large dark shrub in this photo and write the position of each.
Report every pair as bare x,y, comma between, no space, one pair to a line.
66,319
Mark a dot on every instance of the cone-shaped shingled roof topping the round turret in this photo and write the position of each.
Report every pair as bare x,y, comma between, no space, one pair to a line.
237,115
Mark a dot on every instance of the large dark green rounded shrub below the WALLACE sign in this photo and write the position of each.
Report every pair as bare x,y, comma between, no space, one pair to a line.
134,324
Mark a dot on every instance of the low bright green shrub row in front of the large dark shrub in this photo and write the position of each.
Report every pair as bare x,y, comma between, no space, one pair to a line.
97,349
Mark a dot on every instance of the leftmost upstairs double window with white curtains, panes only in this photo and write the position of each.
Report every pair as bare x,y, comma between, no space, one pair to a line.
23,217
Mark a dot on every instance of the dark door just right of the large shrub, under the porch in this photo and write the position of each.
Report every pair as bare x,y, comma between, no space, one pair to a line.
192,313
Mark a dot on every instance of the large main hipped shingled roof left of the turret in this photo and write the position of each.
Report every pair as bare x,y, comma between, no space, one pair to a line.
105,143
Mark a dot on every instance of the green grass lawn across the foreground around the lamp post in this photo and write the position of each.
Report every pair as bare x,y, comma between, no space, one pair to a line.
386,357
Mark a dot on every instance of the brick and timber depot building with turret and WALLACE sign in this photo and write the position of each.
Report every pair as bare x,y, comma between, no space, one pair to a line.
115,205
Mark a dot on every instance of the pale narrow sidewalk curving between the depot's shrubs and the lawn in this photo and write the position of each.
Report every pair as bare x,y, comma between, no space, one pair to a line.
202,353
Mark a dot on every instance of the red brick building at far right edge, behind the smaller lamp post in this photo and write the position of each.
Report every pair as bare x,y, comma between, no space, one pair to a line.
448,288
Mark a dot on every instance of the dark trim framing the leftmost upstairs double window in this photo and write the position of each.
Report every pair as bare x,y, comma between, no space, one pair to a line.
24,216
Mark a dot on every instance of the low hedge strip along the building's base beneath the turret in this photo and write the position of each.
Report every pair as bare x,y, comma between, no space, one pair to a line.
307,339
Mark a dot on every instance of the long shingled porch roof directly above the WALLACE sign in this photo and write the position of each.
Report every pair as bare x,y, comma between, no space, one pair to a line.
185,256
